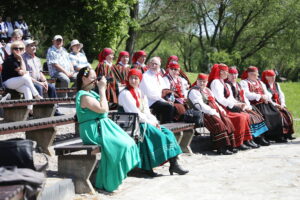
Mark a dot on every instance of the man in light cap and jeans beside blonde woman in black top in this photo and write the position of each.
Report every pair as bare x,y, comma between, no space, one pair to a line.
34,66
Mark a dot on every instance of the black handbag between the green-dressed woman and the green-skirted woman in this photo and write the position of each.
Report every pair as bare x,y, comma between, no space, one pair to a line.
129,122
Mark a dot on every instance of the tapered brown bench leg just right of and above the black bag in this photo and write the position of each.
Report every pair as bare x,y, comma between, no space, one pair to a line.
43,137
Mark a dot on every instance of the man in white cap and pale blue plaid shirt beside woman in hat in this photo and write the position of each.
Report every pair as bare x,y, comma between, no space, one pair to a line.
59,64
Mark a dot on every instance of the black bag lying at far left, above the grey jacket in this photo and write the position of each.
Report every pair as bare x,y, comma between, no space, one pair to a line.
19,152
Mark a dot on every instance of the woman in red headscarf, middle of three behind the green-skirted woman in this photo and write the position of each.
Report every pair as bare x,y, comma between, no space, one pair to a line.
123,67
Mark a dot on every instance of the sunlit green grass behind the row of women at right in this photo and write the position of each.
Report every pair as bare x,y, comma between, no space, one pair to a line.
291,91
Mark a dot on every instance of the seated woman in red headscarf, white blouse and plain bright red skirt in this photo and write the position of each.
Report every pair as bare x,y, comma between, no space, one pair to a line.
241,121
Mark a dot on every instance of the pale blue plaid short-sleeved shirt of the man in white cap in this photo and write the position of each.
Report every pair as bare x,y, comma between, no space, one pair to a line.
58,56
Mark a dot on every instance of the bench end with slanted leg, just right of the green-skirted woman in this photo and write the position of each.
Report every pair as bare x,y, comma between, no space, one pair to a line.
184,133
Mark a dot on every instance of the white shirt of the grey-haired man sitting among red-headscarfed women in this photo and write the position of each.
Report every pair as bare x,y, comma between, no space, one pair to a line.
152,86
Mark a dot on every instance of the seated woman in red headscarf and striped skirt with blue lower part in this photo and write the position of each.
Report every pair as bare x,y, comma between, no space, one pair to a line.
257,124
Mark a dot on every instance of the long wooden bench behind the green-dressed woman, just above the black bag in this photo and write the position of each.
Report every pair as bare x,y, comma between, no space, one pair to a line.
41,130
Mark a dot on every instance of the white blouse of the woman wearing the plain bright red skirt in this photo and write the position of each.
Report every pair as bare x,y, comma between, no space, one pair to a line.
217,87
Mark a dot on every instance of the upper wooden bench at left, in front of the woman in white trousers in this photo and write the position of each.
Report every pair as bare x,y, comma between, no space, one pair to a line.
16,110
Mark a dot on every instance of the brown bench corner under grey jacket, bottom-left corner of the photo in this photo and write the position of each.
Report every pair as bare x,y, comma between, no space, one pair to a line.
12,192
